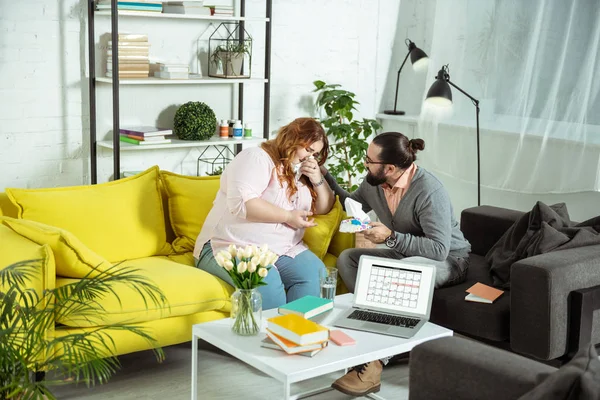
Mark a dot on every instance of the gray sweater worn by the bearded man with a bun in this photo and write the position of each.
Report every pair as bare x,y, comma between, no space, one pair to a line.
424,221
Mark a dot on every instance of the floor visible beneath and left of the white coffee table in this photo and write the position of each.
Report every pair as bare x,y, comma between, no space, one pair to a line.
220,377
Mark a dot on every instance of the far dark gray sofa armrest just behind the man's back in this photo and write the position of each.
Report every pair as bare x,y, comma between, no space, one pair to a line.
484,225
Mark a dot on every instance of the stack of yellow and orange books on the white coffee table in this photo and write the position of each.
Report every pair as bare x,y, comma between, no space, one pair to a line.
296,335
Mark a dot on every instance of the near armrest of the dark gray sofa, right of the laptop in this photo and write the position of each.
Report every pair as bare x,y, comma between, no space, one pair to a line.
540,296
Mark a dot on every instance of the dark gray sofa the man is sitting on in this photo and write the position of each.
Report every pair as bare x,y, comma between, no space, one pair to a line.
545,315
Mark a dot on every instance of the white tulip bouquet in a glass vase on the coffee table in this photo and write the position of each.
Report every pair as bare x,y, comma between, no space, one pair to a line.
247,267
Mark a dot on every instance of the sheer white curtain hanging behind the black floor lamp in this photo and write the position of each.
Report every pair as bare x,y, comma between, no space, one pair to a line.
535,67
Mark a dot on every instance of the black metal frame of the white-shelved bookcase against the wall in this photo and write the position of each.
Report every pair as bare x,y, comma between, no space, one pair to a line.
116,144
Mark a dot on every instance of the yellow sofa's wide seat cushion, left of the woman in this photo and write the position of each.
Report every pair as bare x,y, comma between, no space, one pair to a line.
188,290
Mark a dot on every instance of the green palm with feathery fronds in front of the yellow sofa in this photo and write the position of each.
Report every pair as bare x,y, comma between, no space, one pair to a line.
31,344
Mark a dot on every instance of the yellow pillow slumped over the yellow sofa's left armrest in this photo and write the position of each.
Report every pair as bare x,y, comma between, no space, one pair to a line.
73,258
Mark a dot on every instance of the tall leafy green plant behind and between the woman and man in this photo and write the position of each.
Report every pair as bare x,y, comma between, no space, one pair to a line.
348,136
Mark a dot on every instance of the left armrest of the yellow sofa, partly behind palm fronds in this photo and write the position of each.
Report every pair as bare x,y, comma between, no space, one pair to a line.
16,248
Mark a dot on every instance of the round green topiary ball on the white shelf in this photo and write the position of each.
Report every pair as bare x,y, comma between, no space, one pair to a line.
195,121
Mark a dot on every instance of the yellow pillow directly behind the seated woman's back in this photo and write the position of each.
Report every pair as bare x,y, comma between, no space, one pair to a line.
190,200
